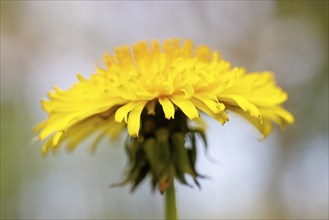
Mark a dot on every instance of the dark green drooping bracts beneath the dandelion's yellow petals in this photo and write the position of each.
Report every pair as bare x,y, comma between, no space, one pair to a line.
165,150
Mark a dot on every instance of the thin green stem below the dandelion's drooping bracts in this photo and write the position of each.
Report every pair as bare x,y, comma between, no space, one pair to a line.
170,203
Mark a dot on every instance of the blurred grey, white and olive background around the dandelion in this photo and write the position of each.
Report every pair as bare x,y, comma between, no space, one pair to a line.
45,43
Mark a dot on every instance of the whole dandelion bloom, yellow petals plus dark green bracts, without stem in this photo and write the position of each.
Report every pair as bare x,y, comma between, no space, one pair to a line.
154,90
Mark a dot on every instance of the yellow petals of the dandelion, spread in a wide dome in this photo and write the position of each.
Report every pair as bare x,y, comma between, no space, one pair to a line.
175,74
